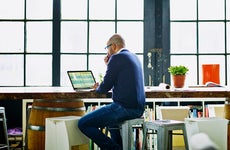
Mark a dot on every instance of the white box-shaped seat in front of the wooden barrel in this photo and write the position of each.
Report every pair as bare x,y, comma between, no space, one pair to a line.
62,134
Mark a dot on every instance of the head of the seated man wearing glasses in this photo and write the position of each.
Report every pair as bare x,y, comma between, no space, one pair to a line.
115,43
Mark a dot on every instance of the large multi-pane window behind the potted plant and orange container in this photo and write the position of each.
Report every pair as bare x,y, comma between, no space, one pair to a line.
200,34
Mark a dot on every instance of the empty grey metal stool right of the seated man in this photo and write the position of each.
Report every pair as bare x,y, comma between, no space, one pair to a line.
164,130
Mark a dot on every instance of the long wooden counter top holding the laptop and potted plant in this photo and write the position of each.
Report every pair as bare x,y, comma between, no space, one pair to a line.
18,93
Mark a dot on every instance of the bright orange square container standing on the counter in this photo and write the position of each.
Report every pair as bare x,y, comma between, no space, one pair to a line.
211,73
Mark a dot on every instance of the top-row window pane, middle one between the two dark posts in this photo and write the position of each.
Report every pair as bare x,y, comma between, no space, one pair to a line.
102,9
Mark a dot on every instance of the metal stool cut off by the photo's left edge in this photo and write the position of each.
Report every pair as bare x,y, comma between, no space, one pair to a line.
3,120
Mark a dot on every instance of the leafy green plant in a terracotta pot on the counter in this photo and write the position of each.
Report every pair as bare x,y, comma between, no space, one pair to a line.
178,75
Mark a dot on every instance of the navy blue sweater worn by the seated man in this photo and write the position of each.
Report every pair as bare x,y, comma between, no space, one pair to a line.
124,75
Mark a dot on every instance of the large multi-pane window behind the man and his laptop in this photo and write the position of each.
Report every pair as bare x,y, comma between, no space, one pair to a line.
28,30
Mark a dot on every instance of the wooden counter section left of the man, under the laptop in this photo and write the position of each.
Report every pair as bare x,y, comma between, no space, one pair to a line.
52,93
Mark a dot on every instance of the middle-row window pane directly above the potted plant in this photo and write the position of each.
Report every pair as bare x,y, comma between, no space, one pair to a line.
183,37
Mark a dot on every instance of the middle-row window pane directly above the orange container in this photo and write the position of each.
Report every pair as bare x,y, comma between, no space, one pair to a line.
211,37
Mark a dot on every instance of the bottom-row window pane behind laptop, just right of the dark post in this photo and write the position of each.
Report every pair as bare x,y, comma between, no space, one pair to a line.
71,62
